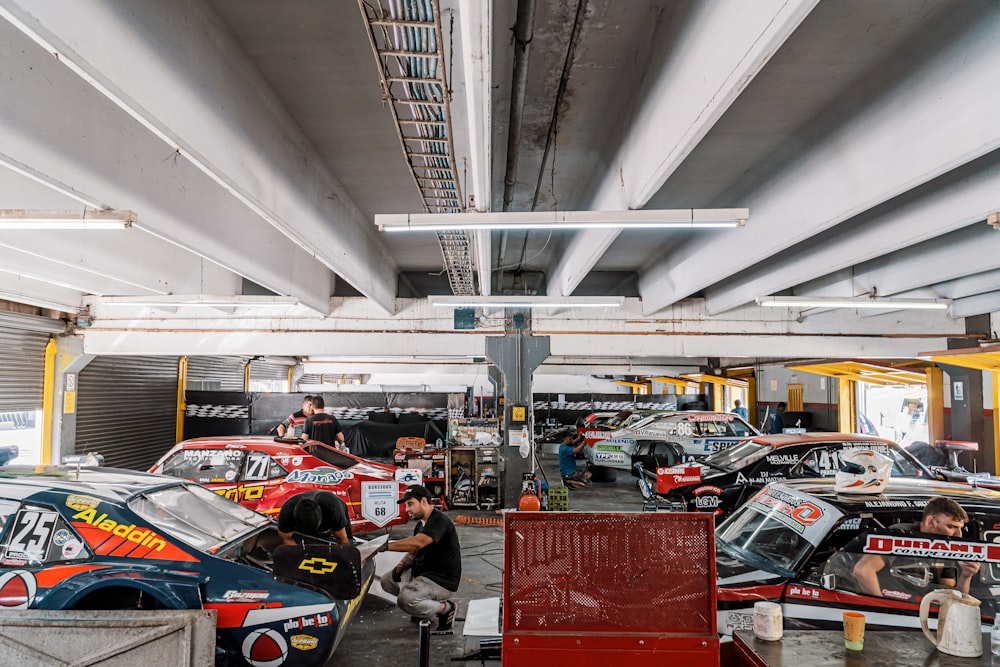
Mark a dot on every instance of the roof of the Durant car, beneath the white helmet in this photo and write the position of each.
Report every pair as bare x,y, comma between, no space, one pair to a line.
898,488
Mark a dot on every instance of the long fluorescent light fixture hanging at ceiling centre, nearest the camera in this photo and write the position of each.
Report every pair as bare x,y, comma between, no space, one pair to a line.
684,218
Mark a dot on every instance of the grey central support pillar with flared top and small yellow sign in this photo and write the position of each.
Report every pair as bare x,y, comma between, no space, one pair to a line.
516,355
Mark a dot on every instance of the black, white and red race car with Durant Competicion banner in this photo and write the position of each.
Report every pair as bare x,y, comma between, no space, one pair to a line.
788,544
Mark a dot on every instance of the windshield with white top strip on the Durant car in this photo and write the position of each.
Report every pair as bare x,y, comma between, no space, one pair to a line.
776,530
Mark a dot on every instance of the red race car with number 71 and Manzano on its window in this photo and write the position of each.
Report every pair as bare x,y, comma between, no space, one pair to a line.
262,473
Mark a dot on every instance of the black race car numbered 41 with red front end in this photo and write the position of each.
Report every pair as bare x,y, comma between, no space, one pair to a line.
721,482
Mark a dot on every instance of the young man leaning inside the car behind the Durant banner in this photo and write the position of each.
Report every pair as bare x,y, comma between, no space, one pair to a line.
942,516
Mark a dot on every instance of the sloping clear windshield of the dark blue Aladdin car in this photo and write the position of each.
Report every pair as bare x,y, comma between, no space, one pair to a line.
196,516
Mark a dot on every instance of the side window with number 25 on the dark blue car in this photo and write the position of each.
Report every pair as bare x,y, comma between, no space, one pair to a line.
38,535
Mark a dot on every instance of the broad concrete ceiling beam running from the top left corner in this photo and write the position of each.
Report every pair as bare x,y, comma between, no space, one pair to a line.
188,82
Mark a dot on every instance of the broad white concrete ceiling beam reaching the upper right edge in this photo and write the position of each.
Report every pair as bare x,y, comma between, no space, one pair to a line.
918,130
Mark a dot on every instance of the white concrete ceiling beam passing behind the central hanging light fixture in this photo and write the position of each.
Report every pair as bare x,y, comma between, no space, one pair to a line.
724,45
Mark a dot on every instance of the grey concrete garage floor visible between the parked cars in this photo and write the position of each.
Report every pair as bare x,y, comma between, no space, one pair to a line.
383,635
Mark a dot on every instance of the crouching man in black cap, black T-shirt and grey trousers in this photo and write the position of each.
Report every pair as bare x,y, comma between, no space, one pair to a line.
431,569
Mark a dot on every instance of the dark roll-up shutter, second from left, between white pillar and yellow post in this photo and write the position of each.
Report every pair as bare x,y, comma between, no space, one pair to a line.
127,409
